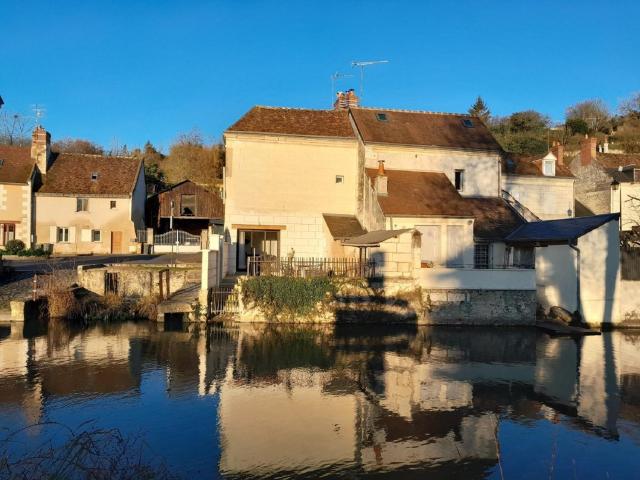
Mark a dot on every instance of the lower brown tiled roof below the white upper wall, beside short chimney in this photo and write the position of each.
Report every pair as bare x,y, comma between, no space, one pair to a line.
432,194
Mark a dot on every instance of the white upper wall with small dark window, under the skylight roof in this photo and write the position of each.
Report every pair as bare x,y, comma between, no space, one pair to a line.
482,169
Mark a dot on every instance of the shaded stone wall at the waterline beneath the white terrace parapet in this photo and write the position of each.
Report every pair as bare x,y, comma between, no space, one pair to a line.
479,307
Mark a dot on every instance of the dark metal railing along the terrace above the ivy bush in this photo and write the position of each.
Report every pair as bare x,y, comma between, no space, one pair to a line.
310,267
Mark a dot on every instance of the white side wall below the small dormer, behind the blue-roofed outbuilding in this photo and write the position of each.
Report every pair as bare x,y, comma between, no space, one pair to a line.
549,198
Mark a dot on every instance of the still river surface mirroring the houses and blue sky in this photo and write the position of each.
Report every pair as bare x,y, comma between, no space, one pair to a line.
270,401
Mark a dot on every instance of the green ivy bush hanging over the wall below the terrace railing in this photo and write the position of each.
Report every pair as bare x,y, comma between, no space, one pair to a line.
297,296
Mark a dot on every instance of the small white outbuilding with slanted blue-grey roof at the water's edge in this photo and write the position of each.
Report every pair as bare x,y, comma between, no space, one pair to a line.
577,264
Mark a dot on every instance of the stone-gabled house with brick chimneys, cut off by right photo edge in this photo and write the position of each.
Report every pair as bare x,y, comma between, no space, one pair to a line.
607,183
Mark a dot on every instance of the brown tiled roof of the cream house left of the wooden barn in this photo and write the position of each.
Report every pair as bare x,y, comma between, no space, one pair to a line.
71,174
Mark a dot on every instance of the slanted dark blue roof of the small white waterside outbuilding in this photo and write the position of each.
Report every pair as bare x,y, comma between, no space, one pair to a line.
557,232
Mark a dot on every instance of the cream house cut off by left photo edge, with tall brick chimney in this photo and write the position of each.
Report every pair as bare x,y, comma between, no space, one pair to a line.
20,169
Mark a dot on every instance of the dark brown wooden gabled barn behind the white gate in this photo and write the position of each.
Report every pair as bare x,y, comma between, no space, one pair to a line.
189,206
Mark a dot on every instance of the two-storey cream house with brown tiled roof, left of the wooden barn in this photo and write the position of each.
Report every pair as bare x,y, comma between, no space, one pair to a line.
90,204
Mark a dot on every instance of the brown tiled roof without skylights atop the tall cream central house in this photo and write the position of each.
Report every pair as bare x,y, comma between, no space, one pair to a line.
294,121
